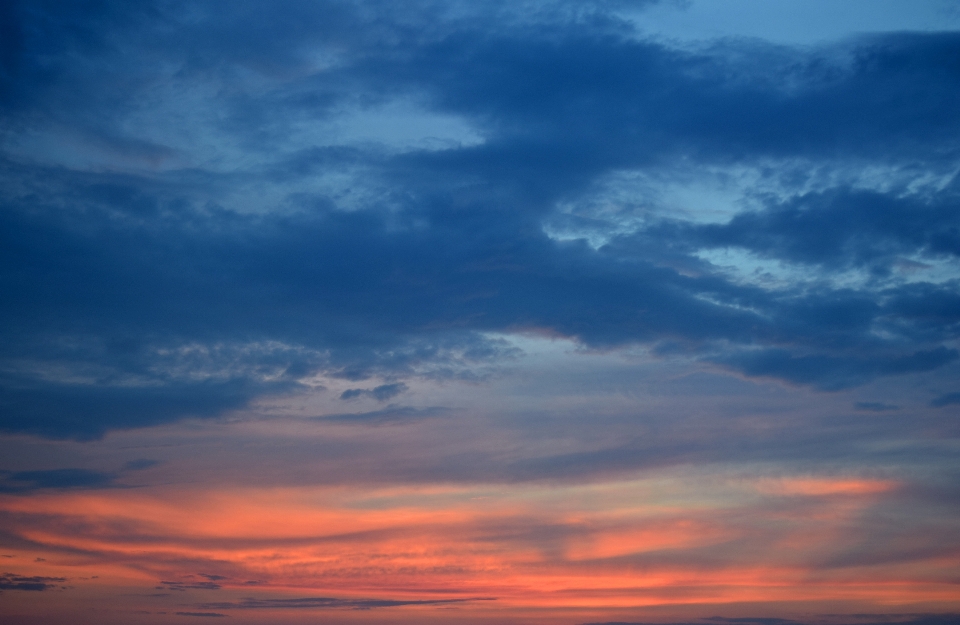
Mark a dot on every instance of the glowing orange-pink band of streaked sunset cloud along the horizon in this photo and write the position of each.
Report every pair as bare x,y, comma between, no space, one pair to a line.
541,551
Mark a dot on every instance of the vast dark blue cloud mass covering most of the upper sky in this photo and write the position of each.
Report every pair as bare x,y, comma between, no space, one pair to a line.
136,294
